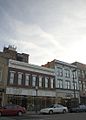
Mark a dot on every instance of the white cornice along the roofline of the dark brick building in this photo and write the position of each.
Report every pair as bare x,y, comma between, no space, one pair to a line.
30,67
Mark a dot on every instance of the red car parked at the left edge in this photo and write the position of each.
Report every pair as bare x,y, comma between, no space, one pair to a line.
12,109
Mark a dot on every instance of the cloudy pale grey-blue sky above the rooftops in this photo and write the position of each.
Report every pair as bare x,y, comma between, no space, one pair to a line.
45,29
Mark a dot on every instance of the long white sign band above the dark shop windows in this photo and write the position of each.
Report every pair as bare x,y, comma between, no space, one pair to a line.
30,92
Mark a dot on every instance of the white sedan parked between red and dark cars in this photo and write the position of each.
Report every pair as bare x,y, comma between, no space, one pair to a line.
55,108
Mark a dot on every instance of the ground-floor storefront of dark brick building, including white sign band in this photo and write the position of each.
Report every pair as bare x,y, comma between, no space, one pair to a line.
29,99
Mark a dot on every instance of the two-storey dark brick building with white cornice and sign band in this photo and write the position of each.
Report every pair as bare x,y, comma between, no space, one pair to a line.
30,85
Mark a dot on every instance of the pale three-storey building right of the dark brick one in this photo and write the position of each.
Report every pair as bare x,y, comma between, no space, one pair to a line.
66,81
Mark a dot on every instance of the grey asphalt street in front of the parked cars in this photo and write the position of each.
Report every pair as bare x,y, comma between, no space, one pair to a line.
68,116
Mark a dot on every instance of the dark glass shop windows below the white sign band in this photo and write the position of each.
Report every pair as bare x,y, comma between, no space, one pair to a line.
31,102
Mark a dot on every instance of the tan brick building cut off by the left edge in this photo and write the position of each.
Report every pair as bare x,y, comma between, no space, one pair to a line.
3,79
